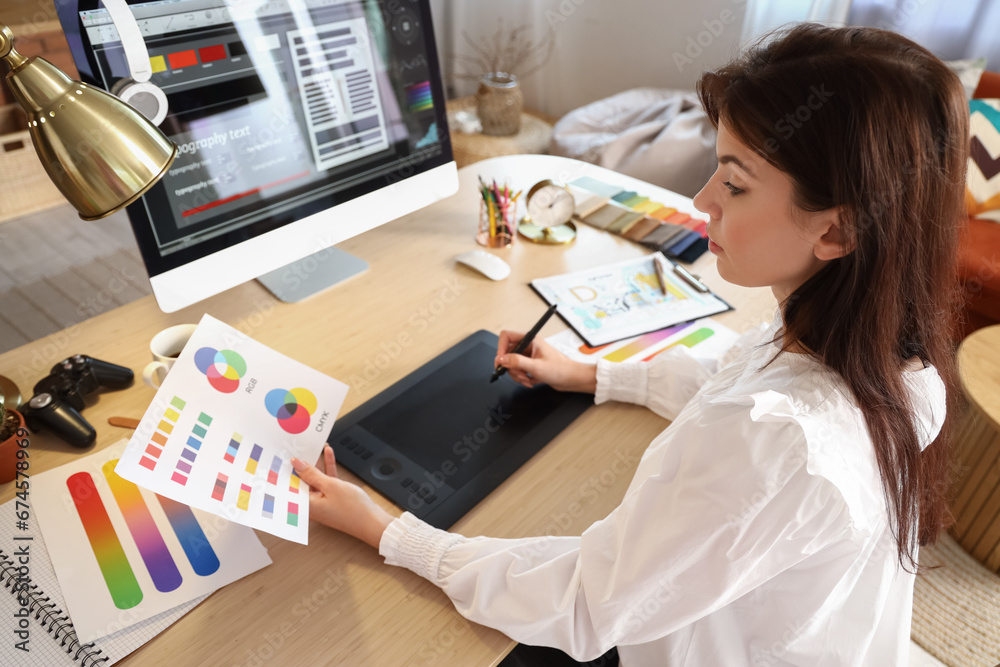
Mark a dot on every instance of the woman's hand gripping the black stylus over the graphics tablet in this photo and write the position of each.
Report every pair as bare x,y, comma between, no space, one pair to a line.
542,363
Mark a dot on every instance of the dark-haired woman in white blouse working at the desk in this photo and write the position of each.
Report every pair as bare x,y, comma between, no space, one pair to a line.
776,521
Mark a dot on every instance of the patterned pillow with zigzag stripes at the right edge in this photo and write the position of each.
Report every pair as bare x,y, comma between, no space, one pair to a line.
982,192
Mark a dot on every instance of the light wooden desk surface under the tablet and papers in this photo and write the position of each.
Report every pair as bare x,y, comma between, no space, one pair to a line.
335,600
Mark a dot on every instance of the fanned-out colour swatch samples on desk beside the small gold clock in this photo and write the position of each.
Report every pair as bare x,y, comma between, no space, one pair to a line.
637,218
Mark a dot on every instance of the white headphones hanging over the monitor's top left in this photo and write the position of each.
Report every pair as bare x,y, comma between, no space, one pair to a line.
136,90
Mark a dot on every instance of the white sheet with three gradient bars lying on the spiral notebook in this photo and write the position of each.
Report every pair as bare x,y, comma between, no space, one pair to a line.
124,554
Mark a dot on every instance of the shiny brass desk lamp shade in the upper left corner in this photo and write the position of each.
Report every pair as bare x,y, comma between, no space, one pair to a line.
101,153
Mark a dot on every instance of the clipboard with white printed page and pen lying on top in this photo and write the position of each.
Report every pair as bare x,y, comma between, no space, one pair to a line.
610,302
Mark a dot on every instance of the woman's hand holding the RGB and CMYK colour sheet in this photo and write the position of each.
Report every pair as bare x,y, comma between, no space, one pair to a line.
342,505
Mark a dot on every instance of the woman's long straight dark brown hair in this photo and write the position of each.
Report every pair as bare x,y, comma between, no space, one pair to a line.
868,121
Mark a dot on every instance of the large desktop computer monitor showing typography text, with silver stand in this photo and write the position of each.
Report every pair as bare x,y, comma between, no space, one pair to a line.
300,123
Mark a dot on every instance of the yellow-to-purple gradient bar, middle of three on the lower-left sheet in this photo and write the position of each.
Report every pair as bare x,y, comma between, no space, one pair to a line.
160,564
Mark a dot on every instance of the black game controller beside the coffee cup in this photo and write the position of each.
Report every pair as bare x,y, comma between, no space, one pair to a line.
59,397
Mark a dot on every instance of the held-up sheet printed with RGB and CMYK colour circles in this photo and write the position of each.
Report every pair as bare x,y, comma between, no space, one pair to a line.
224,426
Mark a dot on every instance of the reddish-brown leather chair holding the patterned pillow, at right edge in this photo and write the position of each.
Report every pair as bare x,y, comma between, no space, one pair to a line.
979,253
